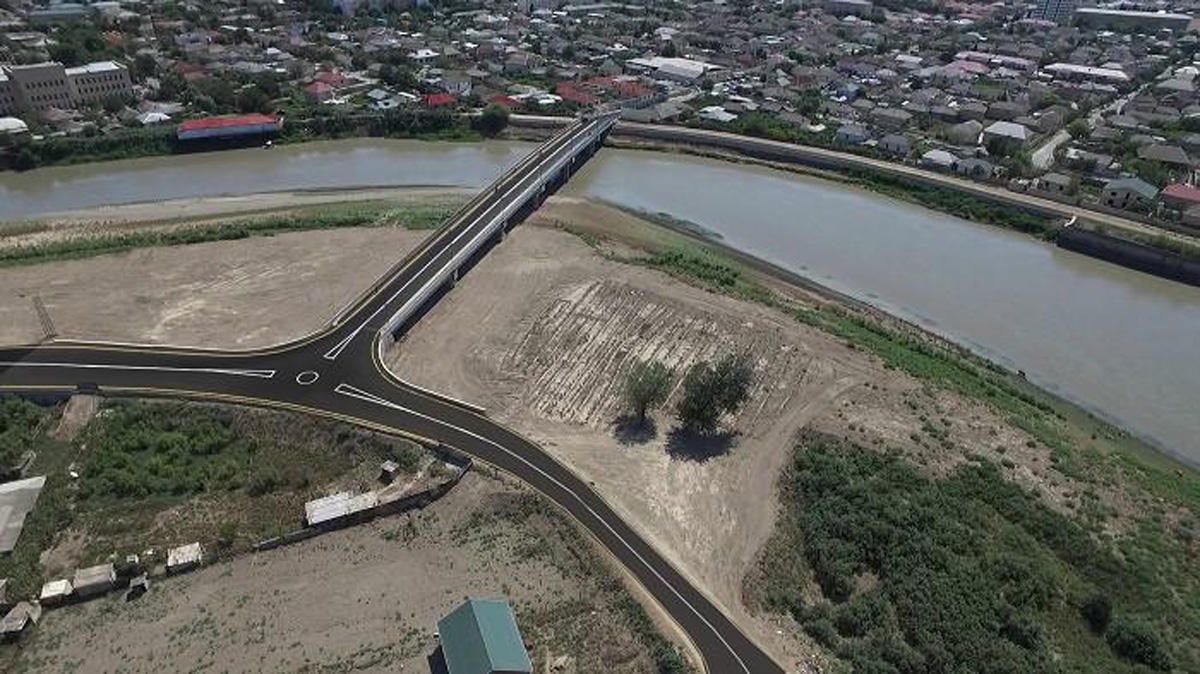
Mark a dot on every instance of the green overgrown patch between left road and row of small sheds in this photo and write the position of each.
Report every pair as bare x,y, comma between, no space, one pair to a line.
157,474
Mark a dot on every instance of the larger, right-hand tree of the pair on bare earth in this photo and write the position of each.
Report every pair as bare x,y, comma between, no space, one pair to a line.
710,393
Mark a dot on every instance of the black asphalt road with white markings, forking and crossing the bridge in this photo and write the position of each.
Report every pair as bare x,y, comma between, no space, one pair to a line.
338,374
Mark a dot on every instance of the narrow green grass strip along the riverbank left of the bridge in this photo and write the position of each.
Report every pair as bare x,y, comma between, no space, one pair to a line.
419,218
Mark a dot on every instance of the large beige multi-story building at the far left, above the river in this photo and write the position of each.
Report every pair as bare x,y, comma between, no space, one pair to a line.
51,86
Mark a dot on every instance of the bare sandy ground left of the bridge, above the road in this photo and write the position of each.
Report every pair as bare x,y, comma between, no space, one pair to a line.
227,294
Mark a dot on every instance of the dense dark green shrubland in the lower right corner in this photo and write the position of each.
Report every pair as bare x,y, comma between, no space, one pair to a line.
896,571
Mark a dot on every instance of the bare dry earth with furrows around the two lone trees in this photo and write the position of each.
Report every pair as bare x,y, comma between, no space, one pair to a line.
555,327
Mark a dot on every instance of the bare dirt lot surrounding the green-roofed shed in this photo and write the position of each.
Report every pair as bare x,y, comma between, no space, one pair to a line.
363,599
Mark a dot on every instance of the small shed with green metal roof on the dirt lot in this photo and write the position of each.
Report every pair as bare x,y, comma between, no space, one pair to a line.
482,637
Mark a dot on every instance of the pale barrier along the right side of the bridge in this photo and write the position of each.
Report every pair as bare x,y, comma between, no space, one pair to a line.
445,275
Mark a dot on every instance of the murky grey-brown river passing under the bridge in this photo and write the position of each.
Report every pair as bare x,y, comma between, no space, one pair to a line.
1119,342
